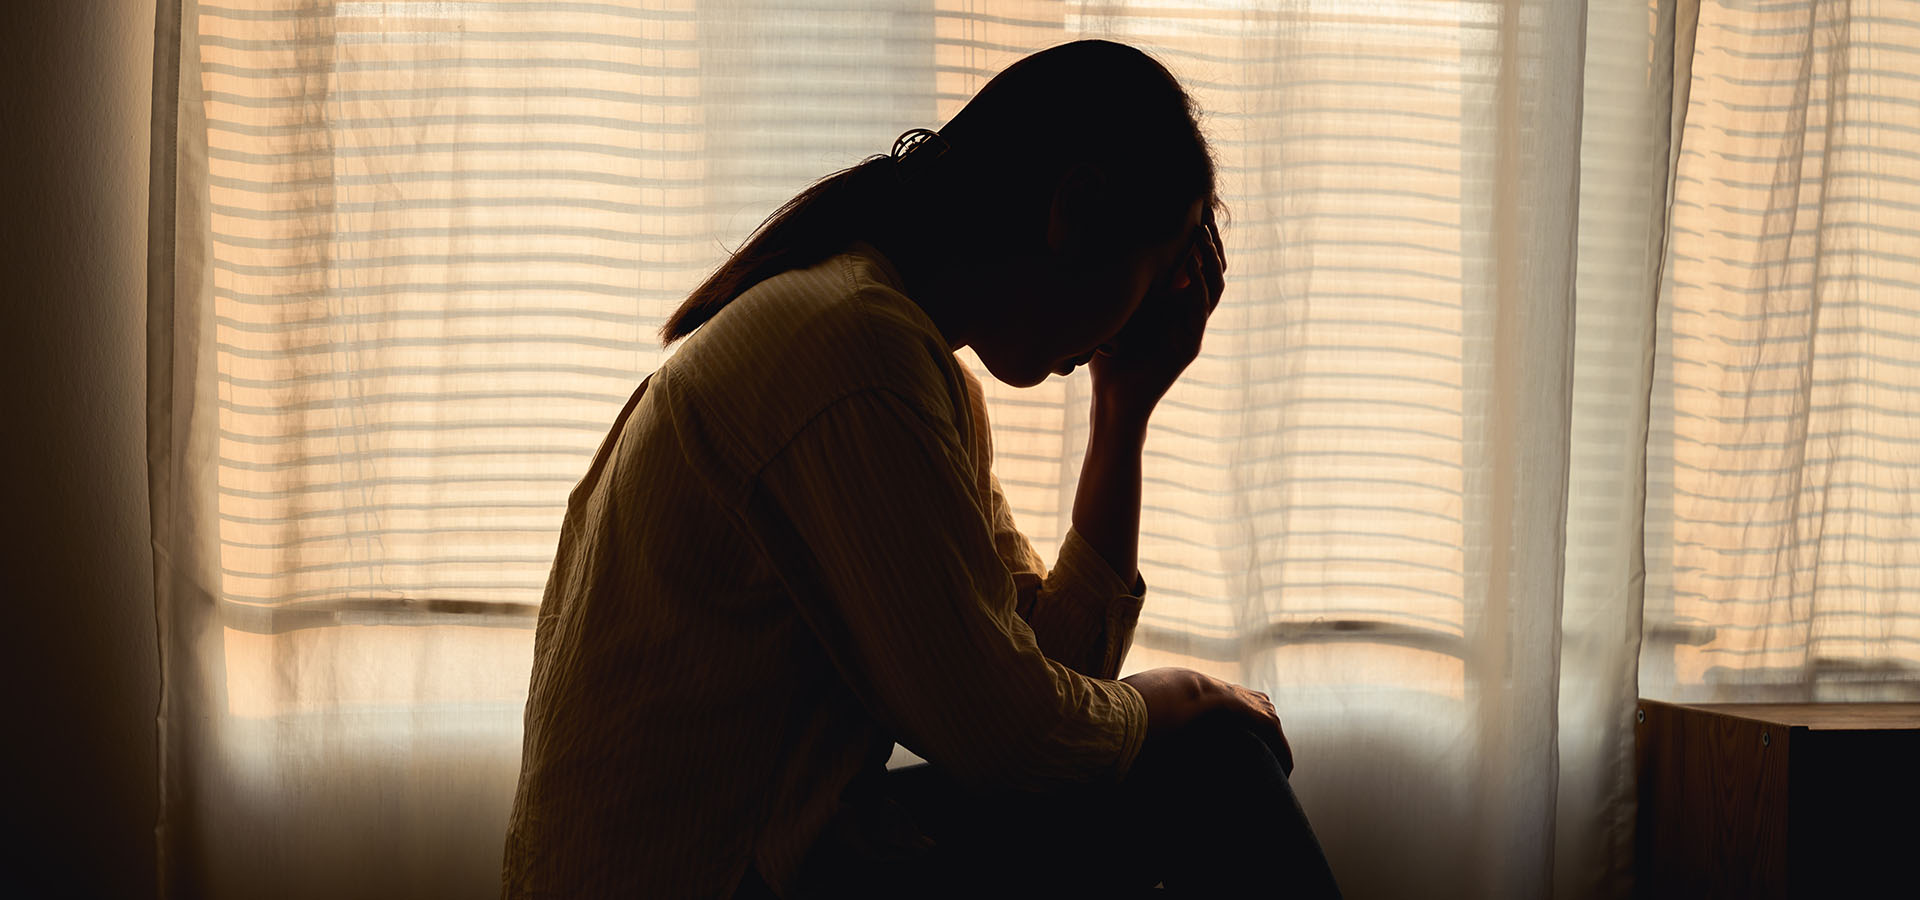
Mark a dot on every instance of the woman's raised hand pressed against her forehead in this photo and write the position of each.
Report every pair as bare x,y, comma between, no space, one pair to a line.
1164,335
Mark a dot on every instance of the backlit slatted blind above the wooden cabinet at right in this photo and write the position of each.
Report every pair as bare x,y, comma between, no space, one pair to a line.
1785,546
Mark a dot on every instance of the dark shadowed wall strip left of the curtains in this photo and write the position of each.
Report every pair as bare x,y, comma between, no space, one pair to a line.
76,569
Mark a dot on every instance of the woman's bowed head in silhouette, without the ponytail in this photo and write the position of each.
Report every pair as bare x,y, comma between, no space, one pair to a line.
1090,176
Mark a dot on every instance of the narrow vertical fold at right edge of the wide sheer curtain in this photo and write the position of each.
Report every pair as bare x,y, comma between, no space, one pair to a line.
1637,55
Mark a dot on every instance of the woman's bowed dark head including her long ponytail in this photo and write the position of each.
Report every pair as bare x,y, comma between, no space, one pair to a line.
1070,183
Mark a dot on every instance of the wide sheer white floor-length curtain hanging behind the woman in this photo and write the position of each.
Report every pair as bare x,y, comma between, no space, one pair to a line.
412,258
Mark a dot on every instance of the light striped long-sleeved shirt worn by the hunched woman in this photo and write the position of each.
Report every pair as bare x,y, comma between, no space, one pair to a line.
790,554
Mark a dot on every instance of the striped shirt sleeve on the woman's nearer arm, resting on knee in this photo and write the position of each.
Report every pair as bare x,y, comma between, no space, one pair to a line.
873,519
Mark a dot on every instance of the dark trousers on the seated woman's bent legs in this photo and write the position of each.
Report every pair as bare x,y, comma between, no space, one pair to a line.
1209,815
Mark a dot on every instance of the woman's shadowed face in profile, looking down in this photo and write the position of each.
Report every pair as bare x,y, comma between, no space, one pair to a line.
1057,312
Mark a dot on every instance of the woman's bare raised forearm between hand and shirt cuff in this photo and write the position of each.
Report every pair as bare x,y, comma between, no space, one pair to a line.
1107,504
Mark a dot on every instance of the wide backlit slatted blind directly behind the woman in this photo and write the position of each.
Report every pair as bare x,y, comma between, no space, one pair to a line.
448,231
